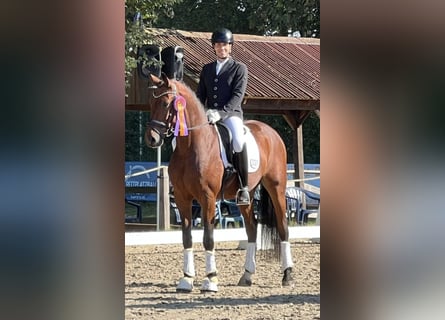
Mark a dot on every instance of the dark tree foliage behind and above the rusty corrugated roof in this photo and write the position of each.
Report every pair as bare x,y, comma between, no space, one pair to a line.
262,17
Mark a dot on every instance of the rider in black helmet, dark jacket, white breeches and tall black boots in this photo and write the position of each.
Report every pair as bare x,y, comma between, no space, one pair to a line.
221,88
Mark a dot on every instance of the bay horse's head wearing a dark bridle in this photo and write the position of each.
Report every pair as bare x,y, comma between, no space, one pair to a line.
162,113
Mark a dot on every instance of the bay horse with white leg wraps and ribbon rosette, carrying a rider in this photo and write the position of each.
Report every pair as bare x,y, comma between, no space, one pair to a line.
196,171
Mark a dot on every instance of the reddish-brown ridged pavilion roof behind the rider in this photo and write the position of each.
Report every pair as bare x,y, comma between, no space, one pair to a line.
284,72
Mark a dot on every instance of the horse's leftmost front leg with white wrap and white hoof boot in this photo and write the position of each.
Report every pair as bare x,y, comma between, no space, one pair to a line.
186,282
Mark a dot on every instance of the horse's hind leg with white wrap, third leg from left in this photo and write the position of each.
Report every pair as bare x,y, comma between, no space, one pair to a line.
249,264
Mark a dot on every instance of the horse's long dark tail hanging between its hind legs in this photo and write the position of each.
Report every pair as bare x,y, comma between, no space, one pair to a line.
270,238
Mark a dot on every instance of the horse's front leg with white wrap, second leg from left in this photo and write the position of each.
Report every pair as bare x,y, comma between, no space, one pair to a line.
210,282
